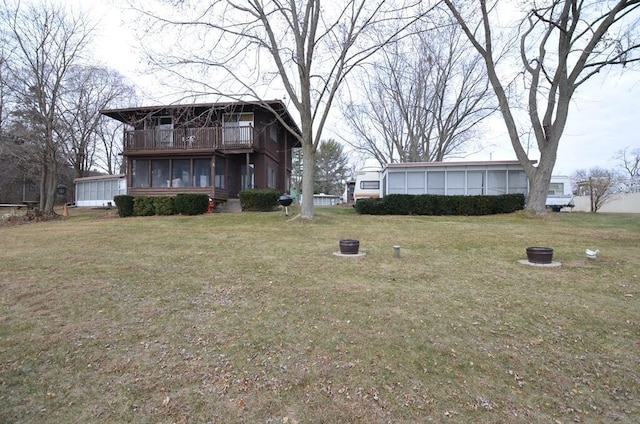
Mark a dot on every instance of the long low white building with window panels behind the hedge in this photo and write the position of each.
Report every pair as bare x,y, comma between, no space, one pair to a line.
454,178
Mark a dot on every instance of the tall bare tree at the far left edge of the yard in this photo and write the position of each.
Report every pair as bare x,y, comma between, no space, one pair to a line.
46,41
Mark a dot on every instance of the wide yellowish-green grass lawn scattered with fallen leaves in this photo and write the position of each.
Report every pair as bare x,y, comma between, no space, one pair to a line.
250,317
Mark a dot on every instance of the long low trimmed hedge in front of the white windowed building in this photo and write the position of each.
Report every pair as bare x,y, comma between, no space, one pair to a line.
429,204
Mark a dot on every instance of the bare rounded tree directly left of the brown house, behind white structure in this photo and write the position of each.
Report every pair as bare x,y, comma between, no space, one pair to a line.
87,90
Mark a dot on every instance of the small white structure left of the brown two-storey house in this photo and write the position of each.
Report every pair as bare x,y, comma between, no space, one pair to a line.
99,191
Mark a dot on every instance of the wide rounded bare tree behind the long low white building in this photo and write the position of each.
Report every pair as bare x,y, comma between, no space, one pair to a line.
424,100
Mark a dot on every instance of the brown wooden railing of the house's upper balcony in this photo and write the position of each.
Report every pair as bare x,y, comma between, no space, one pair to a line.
208,138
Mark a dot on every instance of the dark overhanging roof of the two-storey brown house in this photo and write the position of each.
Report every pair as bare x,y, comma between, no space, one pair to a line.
136,114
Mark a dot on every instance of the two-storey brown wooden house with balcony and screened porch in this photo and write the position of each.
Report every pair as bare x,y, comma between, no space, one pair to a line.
217,148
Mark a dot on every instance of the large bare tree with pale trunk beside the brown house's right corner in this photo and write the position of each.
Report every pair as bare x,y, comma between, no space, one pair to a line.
303,49
